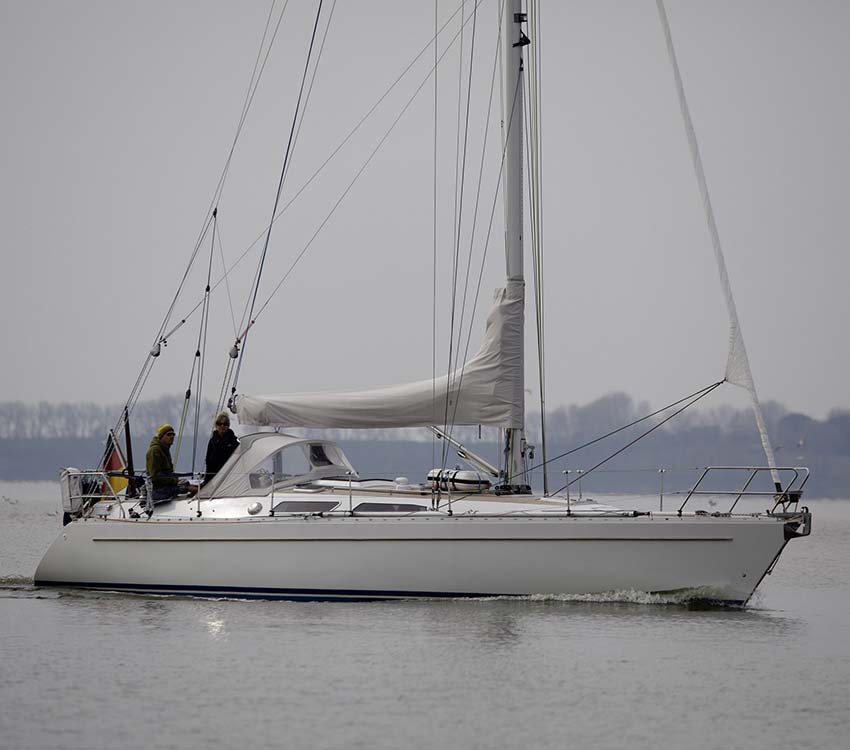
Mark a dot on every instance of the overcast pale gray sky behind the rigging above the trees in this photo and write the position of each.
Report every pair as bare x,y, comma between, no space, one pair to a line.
118,116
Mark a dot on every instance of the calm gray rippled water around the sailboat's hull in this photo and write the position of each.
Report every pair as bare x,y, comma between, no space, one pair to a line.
90,670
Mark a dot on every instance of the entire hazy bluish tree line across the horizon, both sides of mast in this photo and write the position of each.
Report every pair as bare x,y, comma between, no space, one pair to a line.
37,438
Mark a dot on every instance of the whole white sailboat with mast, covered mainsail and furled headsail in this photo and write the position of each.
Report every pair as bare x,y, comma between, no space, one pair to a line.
289,517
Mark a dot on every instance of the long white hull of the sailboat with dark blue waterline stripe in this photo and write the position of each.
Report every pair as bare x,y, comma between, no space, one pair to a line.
373,557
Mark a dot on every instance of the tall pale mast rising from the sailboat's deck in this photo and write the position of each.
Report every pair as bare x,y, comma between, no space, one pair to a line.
513,40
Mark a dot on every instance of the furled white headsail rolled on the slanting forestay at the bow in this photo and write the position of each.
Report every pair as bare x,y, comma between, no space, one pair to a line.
738,369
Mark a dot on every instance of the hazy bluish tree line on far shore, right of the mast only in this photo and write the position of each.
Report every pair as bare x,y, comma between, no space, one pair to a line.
695,439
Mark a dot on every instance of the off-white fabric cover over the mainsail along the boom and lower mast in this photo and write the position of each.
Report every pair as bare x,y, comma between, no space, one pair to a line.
487,390
